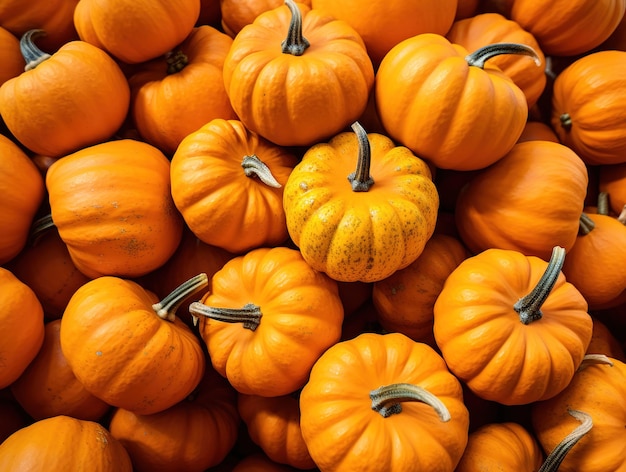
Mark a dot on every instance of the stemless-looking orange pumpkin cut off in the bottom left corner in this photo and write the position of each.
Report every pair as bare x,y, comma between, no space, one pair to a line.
63,443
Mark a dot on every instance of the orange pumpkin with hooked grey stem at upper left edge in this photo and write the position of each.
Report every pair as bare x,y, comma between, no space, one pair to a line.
76,97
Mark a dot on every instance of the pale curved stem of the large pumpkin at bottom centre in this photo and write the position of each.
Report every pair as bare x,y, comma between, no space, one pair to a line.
387,399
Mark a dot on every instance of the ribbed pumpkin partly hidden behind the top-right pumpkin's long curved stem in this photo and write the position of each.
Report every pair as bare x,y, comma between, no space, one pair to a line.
490,28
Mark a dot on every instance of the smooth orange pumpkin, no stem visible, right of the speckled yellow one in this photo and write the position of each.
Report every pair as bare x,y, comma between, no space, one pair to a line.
528,201
